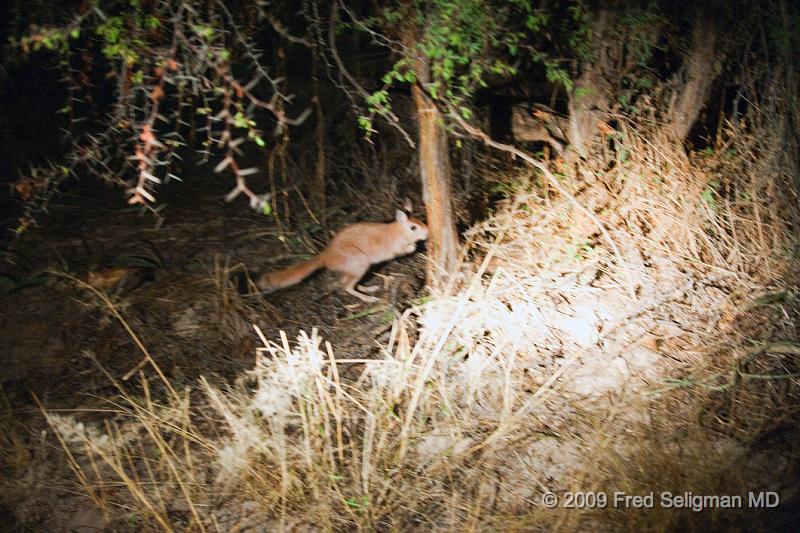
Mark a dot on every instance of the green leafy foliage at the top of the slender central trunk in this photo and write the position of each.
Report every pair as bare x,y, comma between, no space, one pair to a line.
464,43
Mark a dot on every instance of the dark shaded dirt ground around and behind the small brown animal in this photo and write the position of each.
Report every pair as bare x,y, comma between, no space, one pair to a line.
59,337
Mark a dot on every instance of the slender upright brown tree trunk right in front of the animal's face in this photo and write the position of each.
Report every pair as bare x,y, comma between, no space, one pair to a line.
434,163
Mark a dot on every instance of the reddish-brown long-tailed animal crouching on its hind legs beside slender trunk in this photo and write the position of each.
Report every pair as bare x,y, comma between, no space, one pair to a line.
352,251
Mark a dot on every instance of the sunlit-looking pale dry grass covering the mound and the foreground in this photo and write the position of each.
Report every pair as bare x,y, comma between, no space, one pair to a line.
537,373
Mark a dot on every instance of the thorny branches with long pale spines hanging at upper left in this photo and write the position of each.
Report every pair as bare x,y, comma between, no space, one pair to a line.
133,144
